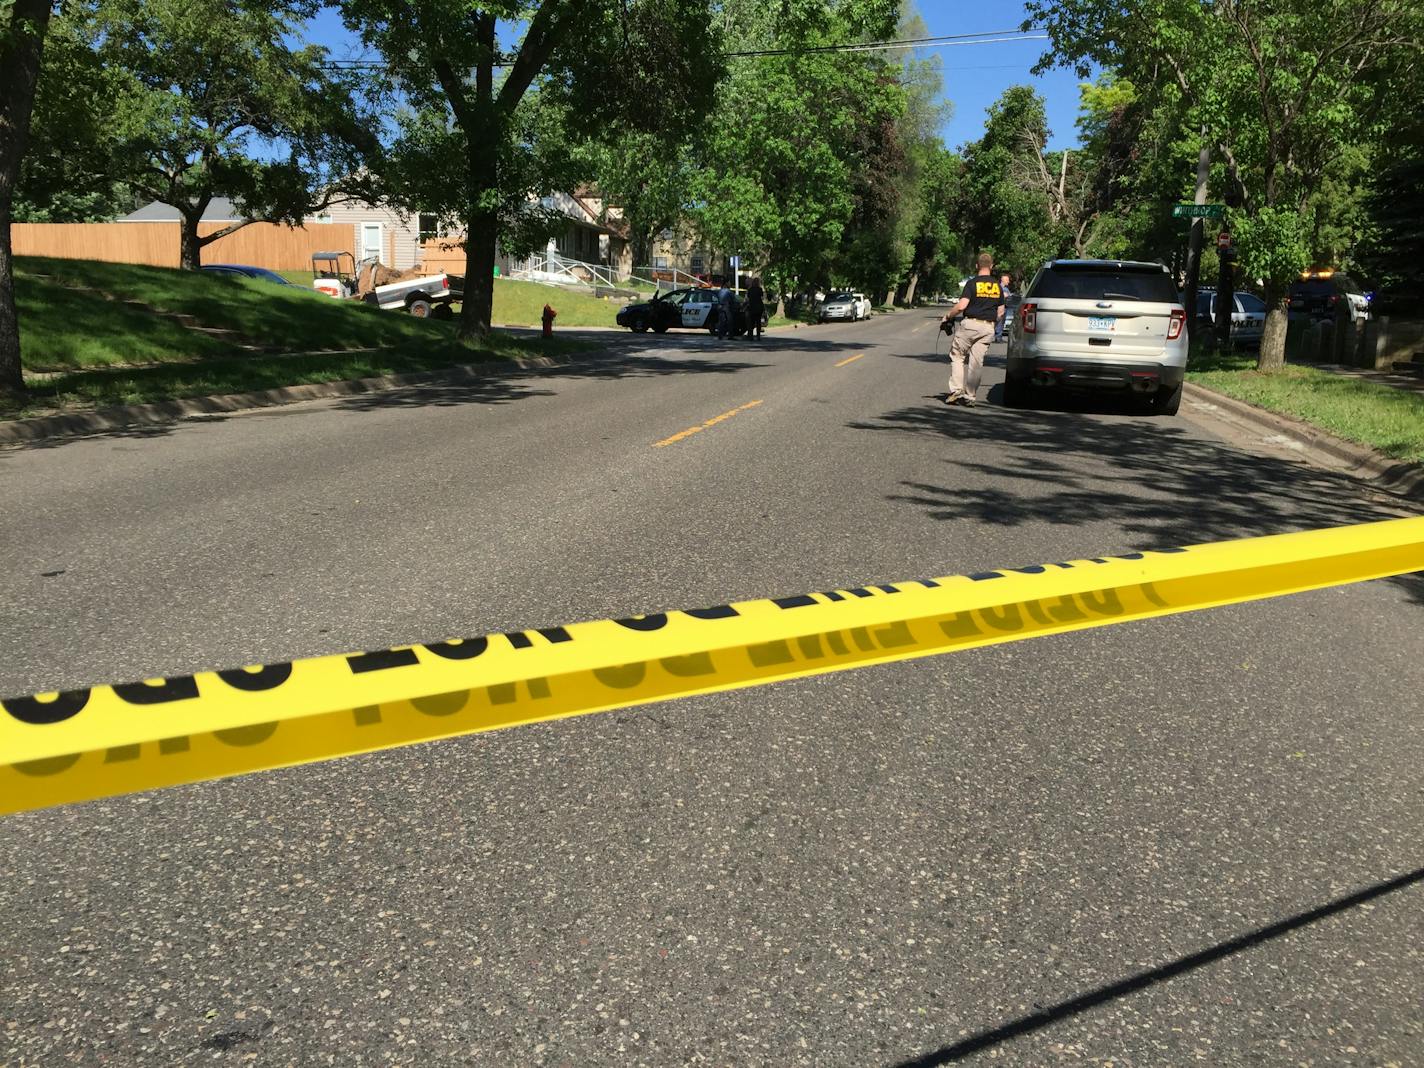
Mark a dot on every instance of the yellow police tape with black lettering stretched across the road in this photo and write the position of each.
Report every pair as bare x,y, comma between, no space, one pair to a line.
86,744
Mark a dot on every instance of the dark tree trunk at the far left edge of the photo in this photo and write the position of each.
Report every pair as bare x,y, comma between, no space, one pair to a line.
22,48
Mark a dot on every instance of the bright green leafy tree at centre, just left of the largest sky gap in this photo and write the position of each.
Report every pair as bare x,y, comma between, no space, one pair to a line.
794,149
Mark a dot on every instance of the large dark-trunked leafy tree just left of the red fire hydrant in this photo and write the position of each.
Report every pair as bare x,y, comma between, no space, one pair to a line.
479,147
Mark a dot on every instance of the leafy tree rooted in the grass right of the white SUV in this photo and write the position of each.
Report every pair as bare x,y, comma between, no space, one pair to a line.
1285,89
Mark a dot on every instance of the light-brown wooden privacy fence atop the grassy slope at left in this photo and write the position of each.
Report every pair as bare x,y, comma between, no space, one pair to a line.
260,244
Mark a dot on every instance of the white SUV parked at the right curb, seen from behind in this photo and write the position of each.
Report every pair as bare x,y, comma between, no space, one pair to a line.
1100,325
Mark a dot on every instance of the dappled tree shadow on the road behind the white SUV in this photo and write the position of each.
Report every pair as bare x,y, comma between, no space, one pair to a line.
1153,478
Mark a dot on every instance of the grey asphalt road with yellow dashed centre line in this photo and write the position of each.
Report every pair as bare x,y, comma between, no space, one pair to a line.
1134,845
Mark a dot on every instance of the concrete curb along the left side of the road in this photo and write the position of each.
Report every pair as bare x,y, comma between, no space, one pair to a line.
21,431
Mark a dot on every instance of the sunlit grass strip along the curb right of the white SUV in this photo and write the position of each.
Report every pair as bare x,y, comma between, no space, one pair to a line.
1388,419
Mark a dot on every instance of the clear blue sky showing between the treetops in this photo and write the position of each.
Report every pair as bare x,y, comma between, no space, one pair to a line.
975,76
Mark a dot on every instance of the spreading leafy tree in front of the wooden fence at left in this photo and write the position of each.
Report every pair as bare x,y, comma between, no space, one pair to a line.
219,102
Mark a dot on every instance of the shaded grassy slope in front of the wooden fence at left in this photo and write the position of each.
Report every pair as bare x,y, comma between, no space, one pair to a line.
72,340
